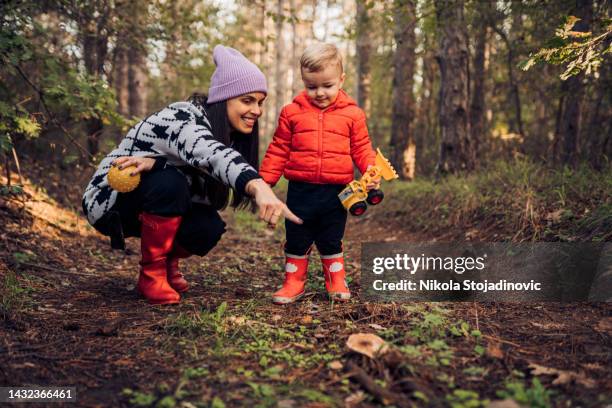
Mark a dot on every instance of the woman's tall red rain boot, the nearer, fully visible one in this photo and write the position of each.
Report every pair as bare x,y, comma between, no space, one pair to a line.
156,241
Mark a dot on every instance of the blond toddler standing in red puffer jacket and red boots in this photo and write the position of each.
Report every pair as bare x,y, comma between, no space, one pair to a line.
319,137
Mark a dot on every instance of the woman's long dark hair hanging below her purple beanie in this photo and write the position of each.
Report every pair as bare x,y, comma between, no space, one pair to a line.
245,144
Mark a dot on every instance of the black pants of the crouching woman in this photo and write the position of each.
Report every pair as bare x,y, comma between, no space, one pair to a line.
166,193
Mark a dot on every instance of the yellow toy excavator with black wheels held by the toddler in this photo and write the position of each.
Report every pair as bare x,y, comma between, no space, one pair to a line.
355,195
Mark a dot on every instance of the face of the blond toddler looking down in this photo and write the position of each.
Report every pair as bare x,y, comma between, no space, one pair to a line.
322,87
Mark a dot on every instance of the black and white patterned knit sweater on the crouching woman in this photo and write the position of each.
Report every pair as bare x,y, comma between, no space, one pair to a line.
181,134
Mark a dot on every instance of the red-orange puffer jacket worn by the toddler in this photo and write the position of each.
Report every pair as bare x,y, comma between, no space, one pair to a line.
318,146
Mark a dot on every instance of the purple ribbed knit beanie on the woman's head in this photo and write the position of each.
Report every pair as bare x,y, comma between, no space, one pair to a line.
235,75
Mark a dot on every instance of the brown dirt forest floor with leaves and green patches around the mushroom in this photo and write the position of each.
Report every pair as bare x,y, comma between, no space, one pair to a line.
71,317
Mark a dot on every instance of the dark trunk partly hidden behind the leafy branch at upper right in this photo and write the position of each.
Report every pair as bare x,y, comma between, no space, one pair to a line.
570,122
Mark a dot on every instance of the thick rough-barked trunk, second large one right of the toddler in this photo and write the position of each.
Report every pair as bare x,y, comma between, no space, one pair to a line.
456,150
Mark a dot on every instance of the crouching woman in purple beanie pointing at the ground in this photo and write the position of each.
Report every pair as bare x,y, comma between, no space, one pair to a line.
189,155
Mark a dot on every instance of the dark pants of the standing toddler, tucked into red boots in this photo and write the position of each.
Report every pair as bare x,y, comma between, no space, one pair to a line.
323,214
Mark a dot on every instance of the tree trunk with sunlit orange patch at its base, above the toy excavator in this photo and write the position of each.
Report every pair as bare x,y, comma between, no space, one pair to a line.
402,140
